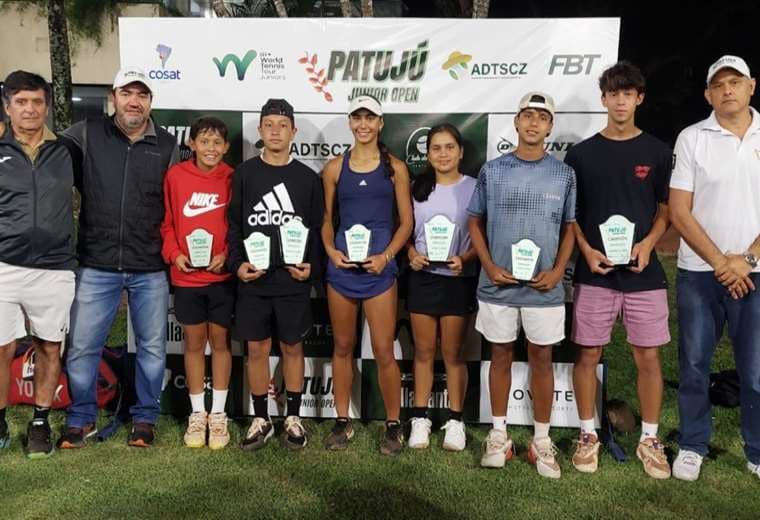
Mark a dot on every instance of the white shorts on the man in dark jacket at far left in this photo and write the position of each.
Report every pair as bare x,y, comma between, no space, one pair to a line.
43,295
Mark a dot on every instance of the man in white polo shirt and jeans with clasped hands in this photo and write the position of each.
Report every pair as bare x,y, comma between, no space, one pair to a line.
715,206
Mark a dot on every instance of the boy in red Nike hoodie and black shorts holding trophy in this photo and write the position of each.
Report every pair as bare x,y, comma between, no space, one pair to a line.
196,194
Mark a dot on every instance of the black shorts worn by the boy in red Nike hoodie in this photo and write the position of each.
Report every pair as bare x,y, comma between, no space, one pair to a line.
196,305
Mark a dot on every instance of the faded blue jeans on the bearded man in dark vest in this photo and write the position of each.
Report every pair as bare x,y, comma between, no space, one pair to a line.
92,314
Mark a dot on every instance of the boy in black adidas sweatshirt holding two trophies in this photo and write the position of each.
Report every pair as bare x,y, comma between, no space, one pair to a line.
268,191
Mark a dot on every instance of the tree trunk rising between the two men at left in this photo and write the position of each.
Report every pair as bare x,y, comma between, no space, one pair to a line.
60,64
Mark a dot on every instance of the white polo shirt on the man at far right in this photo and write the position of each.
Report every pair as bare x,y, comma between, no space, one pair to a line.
723,173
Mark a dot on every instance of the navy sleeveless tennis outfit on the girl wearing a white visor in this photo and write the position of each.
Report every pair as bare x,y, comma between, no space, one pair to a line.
367,199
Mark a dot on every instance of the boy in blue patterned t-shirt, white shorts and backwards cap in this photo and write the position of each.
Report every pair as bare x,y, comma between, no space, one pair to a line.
526,194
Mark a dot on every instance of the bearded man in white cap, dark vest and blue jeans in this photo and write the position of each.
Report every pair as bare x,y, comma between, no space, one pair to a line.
120,163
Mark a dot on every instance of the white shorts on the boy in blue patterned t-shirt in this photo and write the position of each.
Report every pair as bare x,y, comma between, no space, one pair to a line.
501,323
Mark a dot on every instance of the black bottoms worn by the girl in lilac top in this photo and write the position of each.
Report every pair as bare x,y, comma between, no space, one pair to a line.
440,295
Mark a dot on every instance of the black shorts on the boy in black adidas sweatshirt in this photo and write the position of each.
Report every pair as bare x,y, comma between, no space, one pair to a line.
259,317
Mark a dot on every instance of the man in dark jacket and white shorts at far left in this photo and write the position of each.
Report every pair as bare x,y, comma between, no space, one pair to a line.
36,248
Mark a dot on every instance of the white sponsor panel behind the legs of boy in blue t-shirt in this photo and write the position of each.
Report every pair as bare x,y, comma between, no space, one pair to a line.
520,406
